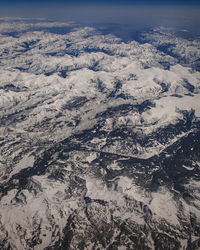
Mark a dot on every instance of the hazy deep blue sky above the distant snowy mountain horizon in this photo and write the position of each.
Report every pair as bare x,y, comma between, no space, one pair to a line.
130,14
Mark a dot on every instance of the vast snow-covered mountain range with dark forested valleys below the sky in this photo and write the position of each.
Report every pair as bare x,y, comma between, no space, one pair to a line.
100,138
